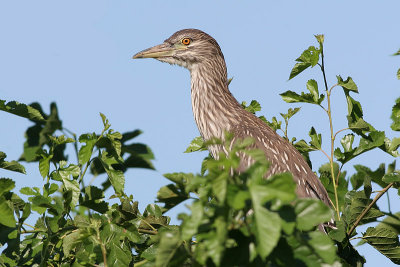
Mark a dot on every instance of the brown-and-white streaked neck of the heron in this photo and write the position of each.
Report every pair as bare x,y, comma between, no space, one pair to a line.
215,109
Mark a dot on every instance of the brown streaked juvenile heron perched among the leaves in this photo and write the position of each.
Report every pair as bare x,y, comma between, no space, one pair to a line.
216,110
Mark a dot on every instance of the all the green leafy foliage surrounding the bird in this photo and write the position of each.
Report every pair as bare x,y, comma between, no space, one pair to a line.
233,219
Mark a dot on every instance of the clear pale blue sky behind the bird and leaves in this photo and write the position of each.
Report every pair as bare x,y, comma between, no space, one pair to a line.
78,54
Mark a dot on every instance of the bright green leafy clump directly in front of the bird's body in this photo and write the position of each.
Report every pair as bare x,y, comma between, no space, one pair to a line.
243,219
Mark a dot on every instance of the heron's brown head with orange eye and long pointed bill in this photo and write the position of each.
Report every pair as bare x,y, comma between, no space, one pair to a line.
185,48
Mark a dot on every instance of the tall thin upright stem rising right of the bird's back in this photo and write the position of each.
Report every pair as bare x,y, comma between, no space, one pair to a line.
329,112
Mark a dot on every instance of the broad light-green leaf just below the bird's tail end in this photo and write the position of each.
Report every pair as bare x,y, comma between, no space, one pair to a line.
311,212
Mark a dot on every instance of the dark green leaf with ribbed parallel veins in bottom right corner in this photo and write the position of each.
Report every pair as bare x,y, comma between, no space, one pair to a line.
385,241
